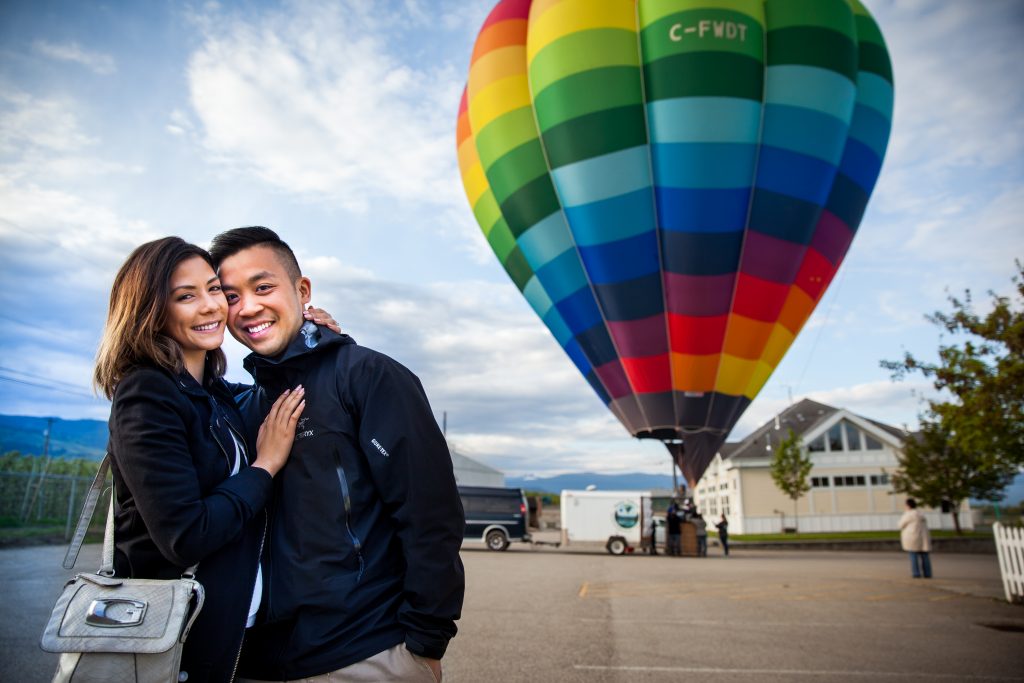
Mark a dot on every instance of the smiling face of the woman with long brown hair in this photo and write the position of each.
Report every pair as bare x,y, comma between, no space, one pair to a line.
196,309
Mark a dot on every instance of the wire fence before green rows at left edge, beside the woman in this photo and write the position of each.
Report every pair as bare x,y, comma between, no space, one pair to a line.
42,500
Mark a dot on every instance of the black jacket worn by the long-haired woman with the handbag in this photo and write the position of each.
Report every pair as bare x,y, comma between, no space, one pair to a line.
172,453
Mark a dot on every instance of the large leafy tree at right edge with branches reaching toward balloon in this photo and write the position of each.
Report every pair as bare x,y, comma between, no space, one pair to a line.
972,440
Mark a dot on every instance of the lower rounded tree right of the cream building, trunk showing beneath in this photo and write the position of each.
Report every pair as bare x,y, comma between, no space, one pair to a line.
935,471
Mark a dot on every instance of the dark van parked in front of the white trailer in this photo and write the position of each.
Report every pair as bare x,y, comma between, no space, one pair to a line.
495,517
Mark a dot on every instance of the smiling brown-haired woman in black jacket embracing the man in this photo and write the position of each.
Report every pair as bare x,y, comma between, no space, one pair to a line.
187,486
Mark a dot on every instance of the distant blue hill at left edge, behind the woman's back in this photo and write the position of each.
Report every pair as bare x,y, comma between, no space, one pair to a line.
69,439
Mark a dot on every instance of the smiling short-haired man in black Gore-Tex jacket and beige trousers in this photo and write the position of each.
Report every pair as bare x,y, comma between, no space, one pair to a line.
363,579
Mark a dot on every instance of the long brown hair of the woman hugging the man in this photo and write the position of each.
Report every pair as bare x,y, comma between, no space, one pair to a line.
138,313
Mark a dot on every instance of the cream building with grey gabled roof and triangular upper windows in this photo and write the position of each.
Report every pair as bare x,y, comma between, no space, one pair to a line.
850,490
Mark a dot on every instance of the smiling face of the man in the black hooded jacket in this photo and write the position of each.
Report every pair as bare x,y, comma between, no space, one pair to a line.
265,304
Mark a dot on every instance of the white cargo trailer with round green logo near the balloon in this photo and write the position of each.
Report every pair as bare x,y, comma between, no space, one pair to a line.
620,520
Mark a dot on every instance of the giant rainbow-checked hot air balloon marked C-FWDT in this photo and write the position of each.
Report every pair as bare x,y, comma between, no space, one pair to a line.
673,185
